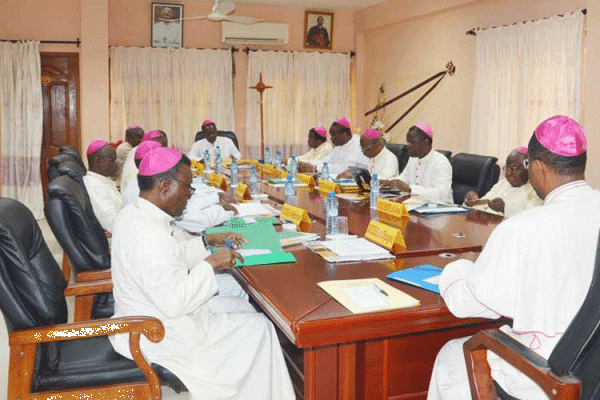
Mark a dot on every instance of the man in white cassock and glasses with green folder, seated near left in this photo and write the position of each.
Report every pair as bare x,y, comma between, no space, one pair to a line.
218,346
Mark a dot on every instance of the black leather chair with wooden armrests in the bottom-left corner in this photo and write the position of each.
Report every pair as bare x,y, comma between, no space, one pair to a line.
46,353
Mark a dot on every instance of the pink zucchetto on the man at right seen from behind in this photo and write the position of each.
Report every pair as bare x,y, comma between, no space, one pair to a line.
562,135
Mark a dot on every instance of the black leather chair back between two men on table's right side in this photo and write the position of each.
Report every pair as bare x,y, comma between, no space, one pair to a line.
471,172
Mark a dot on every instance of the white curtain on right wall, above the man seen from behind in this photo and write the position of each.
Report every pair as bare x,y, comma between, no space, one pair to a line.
525,73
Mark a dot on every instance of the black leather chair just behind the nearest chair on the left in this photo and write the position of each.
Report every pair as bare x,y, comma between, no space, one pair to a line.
71,217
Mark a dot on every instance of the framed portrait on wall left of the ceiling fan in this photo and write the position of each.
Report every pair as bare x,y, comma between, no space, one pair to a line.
167,25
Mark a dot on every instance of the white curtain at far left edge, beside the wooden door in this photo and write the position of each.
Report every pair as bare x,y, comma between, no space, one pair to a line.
21,124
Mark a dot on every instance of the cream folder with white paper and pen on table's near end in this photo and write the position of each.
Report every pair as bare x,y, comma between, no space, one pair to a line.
367,295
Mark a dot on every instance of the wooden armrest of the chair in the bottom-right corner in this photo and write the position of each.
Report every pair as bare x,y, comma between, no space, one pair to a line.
520,357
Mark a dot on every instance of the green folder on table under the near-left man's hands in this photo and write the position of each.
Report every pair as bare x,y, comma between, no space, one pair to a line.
260,235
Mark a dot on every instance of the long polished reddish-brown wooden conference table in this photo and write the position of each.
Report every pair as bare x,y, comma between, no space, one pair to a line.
334,354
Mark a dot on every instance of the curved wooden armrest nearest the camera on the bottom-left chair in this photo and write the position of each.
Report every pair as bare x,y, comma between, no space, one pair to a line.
150,327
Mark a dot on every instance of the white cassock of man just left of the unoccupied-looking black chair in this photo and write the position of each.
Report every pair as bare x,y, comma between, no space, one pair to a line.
429,177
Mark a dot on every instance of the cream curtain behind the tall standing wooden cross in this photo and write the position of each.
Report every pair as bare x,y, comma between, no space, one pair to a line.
308,89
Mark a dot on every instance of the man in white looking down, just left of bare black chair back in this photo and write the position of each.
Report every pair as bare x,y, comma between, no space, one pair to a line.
428,173
